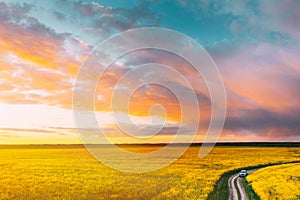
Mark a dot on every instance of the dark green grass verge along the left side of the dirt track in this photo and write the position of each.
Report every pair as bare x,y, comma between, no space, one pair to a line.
221,190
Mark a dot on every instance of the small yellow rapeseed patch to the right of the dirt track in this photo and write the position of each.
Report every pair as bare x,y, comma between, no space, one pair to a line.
277,182
